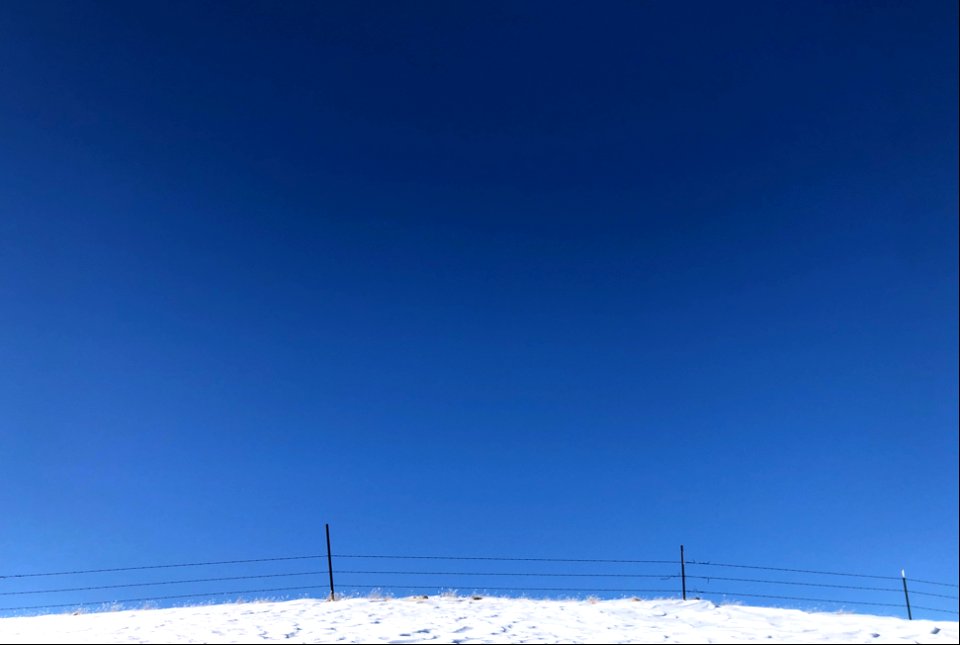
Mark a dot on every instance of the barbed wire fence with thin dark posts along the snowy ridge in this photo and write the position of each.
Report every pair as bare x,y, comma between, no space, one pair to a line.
379,575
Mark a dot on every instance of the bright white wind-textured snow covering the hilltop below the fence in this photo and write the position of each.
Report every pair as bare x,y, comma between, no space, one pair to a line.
446,619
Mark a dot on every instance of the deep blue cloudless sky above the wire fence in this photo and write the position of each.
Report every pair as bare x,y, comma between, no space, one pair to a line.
527,278
